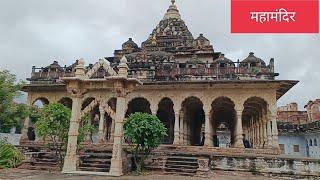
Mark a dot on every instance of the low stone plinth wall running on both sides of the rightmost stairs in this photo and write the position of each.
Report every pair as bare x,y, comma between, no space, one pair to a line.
256,164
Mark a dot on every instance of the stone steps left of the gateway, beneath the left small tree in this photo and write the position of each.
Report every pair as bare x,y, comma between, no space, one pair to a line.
41,161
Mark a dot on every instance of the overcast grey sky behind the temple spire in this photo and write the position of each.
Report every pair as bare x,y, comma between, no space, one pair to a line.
36,32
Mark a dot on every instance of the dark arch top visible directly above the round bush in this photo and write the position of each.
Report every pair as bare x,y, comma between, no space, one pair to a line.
138,104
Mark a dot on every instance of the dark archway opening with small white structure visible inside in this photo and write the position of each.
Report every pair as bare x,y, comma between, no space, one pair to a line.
223,117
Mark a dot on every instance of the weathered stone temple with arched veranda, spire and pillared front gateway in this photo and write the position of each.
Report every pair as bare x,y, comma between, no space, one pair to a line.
209,103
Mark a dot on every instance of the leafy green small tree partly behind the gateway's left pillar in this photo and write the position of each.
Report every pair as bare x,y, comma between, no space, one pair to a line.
53,126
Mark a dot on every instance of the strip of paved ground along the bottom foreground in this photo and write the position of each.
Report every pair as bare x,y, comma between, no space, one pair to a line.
42,175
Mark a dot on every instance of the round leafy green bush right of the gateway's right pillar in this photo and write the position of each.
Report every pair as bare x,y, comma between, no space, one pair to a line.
144,133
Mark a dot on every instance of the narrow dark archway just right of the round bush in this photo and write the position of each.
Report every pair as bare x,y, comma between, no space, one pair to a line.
166,114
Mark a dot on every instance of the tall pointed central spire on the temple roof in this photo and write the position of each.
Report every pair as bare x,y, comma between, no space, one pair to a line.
171,34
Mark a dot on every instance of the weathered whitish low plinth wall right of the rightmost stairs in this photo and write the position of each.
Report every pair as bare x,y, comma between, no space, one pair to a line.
275,165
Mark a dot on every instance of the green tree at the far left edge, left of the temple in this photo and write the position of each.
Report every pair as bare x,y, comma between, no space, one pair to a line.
11,113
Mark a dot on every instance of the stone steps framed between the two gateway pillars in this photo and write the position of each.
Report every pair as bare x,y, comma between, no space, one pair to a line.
95,160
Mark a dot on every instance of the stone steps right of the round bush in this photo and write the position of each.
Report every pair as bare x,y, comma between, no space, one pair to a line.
181,164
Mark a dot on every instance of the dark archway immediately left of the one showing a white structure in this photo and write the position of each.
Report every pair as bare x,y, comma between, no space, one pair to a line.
193,121
